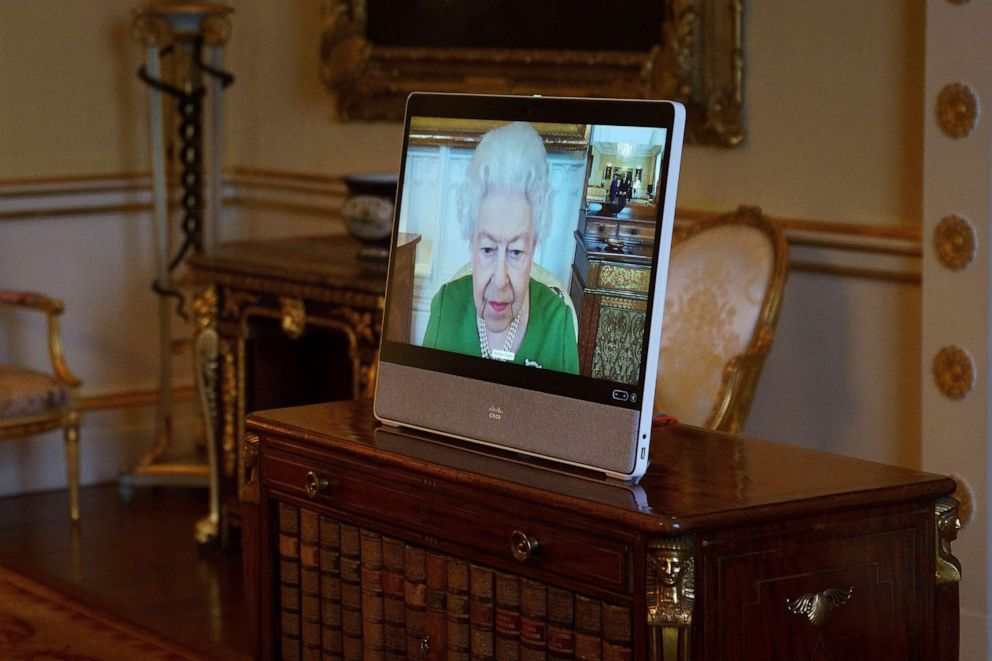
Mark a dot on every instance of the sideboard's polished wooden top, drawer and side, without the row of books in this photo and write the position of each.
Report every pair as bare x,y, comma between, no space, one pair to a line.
765,533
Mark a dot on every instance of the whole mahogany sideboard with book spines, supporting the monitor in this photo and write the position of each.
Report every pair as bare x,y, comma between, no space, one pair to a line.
364,541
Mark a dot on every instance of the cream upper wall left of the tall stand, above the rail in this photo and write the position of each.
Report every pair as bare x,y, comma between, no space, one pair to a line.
70,99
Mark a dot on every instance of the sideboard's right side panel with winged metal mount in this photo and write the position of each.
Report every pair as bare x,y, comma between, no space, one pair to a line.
850,597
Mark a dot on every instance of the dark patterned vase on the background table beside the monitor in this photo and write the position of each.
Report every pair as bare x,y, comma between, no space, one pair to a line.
368,212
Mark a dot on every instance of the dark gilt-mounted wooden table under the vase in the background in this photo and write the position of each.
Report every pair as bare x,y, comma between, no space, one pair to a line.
297,321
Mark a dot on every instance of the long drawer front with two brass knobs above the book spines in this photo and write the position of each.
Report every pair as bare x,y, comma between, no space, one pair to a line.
419,508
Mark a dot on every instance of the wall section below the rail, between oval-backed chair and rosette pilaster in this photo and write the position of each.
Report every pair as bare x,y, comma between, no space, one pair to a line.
828,387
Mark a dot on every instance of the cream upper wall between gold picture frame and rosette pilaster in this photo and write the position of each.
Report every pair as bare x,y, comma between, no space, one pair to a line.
833,114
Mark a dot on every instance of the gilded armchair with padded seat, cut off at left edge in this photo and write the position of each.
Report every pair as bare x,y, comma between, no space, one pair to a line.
32,402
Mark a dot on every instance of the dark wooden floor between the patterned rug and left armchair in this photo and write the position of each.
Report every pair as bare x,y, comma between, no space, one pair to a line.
137,560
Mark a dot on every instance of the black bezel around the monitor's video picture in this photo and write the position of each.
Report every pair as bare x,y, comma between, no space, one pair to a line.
613,112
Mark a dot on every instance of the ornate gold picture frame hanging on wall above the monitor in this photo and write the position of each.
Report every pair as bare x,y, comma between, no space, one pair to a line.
698,60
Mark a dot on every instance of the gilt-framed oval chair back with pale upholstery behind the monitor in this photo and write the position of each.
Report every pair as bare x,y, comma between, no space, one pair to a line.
725,284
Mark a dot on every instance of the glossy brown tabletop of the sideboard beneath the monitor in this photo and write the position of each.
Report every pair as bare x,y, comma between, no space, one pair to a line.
698,479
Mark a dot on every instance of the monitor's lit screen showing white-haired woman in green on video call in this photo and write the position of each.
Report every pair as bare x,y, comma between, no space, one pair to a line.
531,246
